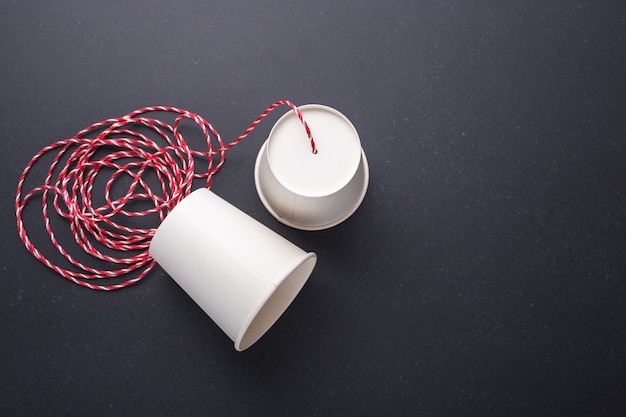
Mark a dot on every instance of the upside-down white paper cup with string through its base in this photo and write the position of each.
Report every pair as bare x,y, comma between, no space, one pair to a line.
312,191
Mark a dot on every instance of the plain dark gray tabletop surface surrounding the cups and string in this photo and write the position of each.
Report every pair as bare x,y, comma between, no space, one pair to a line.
484,273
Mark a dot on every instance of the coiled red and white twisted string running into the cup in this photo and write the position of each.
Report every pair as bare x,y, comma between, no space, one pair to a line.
125,146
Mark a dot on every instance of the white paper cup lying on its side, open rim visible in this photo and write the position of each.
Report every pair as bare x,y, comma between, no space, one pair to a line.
242,274
